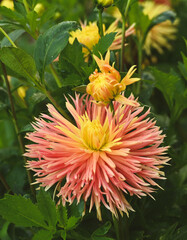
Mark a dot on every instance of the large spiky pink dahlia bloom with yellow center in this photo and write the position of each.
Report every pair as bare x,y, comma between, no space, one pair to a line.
103,157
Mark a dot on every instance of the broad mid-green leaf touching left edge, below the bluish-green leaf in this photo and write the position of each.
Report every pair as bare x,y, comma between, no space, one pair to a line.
19,61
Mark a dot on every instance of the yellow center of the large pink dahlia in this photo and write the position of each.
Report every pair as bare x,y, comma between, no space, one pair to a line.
93,134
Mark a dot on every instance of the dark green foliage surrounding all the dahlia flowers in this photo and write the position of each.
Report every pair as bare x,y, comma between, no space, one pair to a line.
43,36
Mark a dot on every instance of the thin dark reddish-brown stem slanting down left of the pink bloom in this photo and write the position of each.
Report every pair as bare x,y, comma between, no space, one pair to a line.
17,128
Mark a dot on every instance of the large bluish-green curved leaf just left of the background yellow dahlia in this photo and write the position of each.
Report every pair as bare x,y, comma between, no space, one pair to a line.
51,43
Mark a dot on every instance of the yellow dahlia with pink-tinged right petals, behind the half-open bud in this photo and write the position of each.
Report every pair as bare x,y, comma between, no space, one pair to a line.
89,36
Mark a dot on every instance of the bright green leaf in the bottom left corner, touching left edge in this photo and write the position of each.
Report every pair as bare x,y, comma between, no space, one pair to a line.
21,211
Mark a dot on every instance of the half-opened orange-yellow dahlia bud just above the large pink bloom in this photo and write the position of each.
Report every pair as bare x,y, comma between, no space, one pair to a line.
107,85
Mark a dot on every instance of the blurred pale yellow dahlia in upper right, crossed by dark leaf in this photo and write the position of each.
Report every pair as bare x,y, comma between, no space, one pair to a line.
159,36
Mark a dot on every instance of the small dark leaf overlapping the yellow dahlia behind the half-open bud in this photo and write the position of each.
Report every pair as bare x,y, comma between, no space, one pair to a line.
104,43
